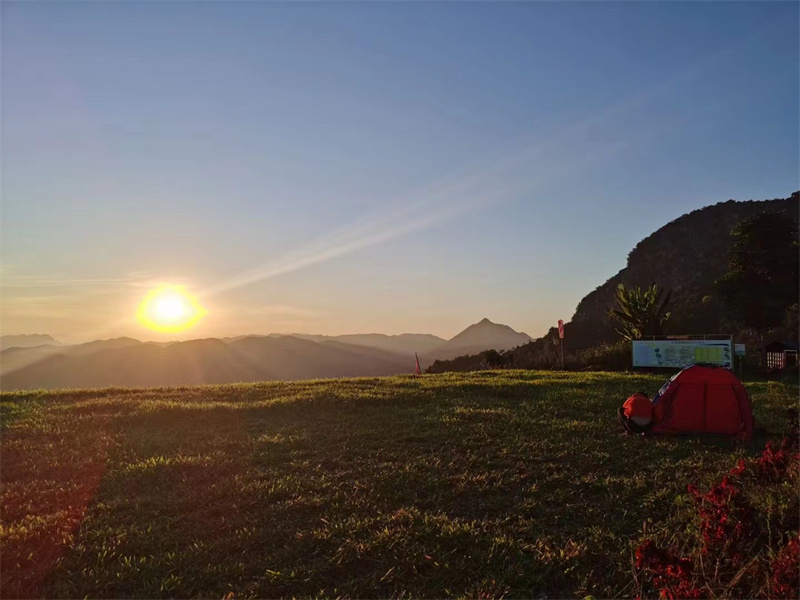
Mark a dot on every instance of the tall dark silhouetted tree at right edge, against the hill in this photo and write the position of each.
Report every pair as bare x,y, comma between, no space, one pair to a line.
762,281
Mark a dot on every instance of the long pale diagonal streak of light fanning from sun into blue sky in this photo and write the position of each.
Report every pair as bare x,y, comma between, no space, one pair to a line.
570,151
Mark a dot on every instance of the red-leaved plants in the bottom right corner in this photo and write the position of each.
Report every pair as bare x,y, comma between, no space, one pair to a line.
732,540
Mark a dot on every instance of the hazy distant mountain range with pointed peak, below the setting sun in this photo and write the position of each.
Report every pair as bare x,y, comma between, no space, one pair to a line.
130,362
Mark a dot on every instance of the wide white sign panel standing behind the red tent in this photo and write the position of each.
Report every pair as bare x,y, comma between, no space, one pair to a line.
680,353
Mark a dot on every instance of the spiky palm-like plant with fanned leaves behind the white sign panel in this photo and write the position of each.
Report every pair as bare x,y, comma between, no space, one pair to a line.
640,312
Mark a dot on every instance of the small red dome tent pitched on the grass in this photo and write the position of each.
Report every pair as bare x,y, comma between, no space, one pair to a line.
703,399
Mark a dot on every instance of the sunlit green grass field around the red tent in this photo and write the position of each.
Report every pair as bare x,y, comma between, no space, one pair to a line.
483,484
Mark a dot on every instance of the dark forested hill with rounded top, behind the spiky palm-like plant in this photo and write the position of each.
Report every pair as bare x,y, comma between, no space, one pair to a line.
685,256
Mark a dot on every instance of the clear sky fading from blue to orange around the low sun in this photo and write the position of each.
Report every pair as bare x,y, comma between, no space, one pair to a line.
354,167
